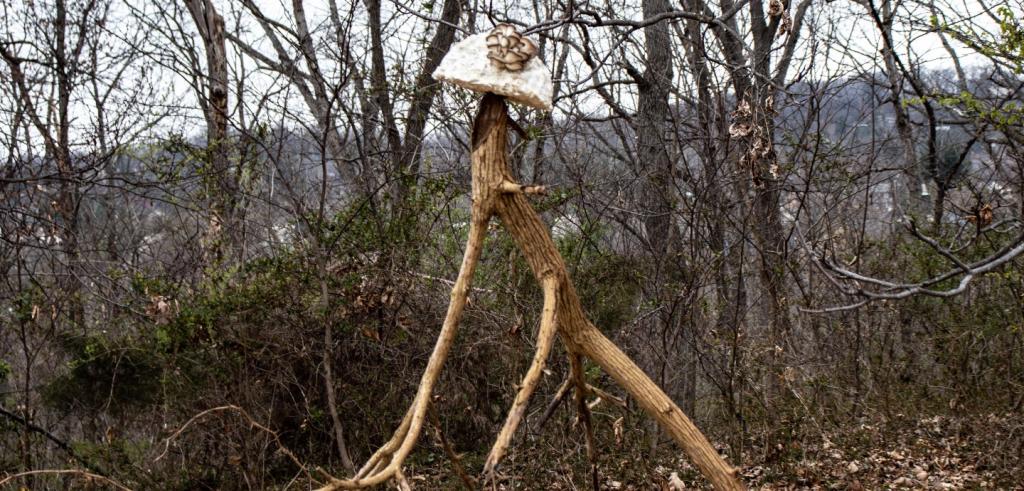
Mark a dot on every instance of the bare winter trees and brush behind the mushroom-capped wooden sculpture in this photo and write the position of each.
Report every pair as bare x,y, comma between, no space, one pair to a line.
799,217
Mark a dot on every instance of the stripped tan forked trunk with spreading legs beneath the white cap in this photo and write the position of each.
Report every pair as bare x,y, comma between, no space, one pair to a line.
495,193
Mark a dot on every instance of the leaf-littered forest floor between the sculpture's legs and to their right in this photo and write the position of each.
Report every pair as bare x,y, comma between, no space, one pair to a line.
941,453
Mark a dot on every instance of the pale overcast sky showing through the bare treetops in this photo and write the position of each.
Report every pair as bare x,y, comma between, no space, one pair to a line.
855,48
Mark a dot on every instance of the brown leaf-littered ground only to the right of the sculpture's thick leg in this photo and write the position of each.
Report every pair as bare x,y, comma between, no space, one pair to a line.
940,453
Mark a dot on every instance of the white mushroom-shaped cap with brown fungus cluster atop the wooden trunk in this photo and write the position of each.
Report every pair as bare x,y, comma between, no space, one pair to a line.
502,62
